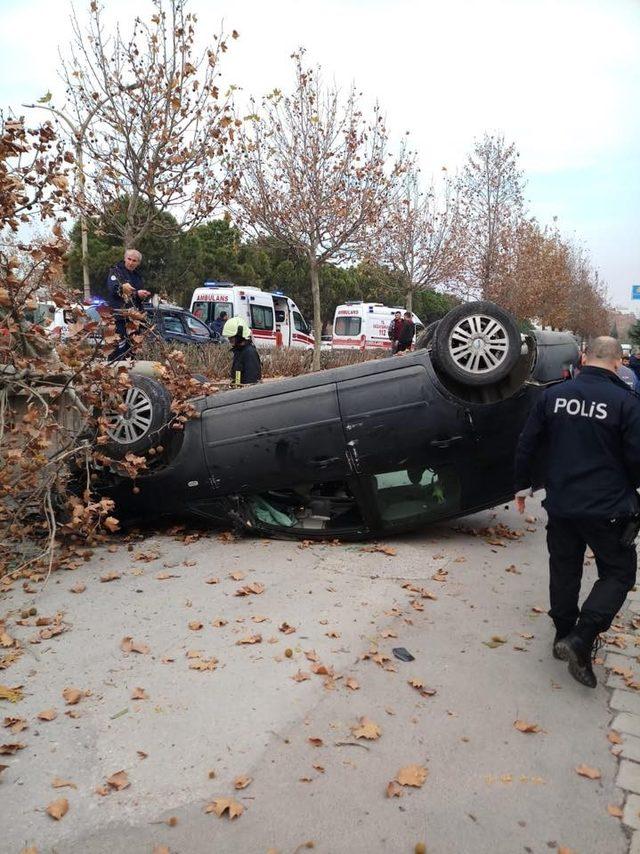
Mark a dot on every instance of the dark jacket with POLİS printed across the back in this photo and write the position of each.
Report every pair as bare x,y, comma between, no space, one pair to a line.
586,435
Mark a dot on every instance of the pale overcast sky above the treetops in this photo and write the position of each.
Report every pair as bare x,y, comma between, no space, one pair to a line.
561,78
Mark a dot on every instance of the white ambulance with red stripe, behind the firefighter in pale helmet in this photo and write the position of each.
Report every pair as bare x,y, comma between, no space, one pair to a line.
275,320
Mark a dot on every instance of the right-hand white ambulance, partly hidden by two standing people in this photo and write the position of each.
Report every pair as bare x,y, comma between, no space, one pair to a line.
365,325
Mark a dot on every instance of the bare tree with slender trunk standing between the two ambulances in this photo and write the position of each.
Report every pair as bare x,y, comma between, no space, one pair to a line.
310,171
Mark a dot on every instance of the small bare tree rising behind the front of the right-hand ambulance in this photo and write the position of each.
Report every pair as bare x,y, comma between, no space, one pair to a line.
422,236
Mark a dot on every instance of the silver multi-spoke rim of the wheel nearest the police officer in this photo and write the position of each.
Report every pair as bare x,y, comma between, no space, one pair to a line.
479,344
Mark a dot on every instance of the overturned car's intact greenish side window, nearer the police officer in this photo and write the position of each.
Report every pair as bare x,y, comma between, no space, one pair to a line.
417,493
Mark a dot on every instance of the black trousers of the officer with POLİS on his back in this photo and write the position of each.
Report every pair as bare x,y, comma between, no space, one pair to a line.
567,540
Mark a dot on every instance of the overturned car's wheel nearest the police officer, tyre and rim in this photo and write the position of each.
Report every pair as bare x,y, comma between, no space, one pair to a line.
477,344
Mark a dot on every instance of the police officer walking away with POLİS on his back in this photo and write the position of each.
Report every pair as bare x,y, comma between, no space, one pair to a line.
586,434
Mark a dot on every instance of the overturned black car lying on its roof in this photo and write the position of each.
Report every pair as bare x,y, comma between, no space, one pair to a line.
369,449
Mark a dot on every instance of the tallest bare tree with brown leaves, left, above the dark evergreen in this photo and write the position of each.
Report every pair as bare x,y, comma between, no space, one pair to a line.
154,123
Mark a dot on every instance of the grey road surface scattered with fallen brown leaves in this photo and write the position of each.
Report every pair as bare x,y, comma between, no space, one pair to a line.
483,644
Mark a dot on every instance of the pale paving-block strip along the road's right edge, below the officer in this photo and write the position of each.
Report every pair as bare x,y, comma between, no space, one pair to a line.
622,661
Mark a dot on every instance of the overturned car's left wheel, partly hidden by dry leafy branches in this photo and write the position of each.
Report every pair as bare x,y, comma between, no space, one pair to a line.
146,421
